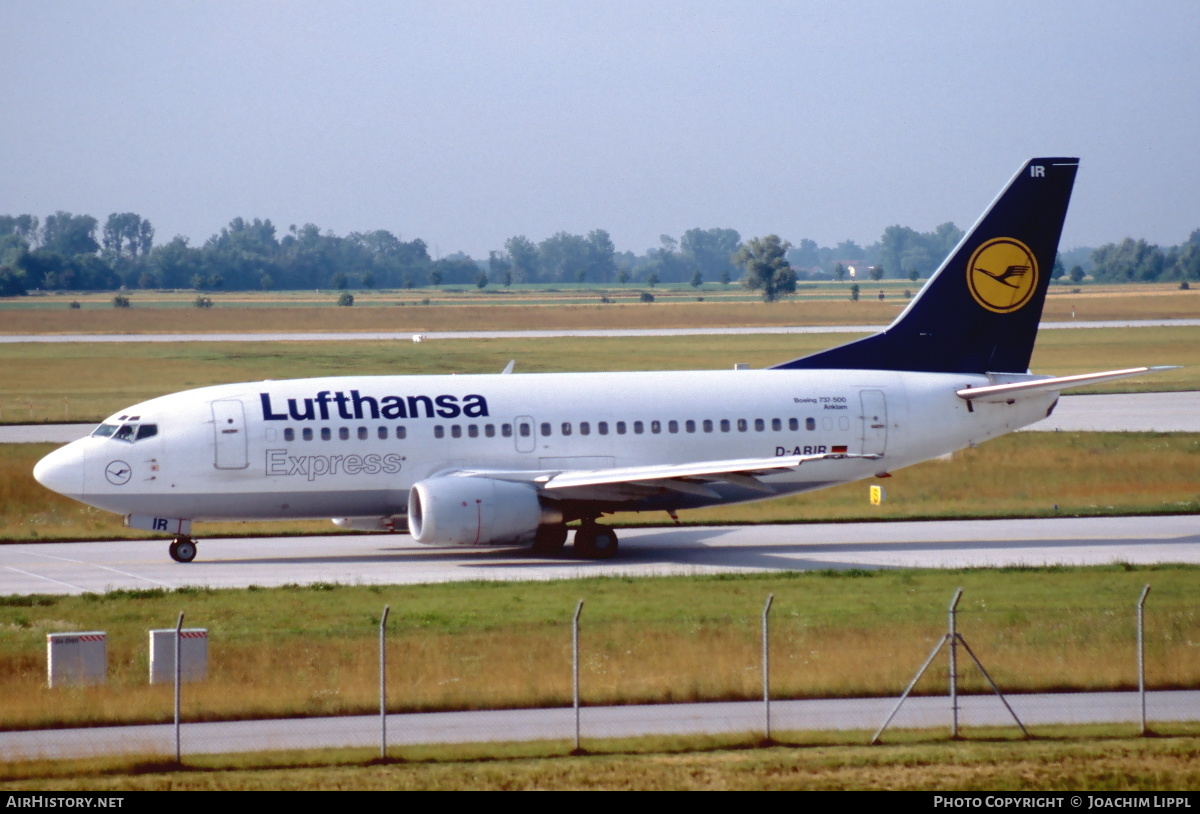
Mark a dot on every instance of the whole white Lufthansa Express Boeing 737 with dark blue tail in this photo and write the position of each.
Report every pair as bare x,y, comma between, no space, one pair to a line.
509,459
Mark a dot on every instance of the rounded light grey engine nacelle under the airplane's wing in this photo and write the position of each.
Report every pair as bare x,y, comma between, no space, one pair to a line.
476,512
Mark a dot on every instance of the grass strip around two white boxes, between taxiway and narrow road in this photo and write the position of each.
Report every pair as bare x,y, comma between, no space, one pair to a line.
313,650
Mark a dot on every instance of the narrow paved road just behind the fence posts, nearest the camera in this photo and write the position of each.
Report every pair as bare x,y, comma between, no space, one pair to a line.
634,721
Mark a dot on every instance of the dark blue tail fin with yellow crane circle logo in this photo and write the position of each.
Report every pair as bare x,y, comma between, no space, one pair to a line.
980,312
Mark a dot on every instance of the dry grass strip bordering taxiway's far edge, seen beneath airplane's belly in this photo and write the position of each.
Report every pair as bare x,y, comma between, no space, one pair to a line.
1082,474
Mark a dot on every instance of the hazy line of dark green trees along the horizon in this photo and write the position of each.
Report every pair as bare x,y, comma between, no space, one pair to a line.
75,253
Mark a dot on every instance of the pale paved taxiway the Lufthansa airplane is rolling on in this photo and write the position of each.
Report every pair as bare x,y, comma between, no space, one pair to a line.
75,568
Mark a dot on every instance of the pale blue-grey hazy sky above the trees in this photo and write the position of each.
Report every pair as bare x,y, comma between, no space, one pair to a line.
467,123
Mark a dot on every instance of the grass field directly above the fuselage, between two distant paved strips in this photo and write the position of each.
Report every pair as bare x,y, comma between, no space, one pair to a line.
77,382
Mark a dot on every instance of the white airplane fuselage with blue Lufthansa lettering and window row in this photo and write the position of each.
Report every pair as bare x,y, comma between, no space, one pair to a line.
353,447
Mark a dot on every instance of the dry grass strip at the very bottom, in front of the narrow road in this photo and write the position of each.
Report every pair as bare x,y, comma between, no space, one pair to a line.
1063,759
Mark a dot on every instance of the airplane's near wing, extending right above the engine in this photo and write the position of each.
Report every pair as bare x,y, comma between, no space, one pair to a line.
688,478
